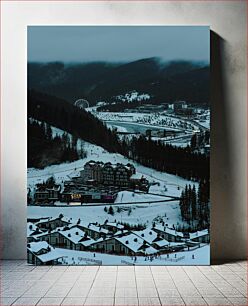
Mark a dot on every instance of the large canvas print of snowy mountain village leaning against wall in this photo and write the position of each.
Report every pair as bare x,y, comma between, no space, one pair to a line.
118,145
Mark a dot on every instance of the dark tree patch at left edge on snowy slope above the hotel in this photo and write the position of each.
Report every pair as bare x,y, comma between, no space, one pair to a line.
44,149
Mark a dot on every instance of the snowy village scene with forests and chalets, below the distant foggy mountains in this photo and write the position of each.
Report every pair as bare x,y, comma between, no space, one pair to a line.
120,180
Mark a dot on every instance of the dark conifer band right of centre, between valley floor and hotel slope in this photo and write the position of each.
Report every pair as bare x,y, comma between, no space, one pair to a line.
164,157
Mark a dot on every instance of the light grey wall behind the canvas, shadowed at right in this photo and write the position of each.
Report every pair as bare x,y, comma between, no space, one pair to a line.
227,20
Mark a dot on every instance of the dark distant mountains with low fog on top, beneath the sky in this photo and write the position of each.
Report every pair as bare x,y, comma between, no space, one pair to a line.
101,81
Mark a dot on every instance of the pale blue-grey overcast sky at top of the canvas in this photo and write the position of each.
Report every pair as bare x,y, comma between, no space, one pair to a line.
117,43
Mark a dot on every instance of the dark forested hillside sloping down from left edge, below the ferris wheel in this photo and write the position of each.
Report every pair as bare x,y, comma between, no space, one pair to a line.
76,121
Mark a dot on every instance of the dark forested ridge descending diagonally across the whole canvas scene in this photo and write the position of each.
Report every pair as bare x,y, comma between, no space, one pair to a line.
81,124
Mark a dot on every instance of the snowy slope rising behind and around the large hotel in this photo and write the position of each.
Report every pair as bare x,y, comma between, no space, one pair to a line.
167,184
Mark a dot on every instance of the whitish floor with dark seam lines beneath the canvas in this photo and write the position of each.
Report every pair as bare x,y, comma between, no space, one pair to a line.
224,284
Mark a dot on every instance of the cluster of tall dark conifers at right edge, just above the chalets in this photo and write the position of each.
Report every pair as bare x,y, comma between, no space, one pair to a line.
194,205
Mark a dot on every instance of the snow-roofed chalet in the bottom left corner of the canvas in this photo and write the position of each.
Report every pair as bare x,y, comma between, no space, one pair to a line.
41,253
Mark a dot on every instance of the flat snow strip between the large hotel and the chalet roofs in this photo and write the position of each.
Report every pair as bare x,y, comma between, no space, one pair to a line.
169,212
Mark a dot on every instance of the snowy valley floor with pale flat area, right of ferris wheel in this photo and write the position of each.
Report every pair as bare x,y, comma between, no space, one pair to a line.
139,123
